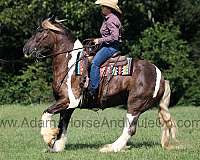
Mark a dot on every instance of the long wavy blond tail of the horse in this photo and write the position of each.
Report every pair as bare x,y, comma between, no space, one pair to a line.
168,125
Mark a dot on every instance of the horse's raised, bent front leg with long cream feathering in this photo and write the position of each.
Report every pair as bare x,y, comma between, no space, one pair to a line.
48,131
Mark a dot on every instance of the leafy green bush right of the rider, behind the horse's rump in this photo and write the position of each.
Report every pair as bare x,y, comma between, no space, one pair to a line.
161,44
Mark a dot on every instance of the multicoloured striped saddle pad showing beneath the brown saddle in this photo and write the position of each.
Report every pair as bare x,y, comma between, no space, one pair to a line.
110,69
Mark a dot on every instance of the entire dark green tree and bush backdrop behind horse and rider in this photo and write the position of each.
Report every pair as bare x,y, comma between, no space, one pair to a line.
18,20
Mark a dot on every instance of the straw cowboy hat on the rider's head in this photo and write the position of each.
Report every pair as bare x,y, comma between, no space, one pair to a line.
110,3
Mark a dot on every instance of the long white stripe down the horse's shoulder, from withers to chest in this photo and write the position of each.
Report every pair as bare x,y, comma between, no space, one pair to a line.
74,102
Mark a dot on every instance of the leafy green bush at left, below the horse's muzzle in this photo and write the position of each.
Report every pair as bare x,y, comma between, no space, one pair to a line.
30,87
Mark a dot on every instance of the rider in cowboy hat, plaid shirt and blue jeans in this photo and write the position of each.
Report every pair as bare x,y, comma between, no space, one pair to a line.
110,38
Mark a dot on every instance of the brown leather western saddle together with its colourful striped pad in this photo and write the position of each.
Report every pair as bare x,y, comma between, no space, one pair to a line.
116,65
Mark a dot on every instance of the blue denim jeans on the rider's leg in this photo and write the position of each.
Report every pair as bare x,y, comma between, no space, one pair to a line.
102,55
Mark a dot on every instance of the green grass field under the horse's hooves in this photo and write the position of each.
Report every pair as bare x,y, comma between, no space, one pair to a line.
25,142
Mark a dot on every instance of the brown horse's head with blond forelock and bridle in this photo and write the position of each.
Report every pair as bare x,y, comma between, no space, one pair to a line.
44,39
